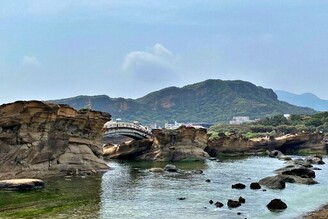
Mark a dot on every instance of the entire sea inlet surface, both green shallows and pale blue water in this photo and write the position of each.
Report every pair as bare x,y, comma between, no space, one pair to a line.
129,190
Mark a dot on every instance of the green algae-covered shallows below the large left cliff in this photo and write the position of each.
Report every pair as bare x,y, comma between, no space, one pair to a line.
59,197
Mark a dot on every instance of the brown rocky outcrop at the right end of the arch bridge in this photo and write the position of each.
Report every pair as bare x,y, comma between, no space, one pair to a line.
182,144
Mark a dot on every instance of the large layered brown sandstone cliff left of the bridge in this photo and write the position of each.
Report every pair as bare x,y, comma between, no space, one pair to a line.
42,139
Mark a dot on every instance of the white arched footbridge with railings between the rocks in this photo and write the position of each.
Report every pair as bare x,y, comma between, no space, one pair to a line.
133,130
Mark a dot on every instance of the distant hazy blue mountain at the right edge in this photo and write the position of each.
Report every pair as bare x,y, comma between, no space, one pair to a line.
304,100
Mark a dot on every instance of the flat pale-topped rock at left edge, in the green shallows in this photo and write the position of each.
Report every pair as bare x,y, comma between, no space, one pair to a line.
21,184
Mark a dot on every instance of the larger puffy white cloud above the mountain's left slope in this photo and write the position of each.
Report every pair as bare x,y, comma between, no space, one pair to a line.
157,61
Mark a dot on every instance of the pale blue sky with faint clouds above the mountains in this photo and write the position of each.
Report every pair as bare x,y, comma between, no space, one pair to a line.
127,48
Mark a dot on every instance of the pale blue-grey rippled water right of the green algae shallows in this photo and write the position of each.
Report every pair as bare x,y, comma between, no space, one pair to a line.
130,191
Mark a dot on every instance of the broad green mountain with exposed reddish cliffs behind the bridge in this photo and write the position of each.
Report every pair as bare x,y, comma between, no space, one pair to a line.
210,101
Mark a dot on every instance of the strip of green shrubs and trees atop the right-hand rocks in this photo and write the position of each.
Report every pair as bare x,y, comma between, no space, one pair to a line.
275,125
